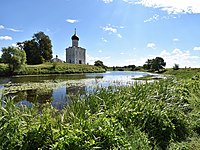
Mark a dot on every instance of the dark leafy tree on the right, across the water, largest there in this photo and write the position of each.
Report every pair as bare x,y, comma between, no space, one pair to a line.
154,64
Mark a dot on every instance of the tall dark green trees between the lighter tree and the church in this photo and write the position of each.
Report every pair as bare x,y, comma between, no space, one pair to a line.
38,50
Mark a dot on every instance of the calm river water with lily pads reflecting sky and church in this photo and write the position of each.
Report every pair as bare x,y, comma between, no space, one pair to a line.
57,89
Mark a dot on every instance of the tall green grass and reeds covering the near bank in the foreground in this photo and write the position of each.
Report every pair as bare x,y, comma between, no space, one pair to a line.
158,115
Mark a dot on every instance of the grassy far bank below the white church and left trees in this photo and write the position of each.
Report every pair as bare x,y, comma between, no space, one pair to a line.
51,68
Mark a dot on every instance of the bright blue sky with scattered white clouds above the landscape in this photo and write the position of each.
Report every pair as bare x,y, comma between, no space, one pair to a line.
117,32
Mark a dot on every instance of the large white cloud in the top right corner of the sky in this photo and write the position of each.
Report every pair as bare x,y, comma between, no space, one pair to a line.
172,6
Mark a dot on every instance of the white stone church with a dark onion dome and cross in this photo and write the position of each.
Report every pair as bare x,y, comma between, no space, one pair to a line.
74,53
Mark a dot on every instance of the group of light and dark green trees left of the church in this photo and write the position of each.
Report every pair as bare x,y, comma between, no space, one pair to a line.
35,51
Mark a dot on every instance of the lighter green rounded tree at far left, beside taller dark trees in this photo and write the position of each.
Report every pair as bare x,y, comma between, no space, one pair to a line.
15,57
